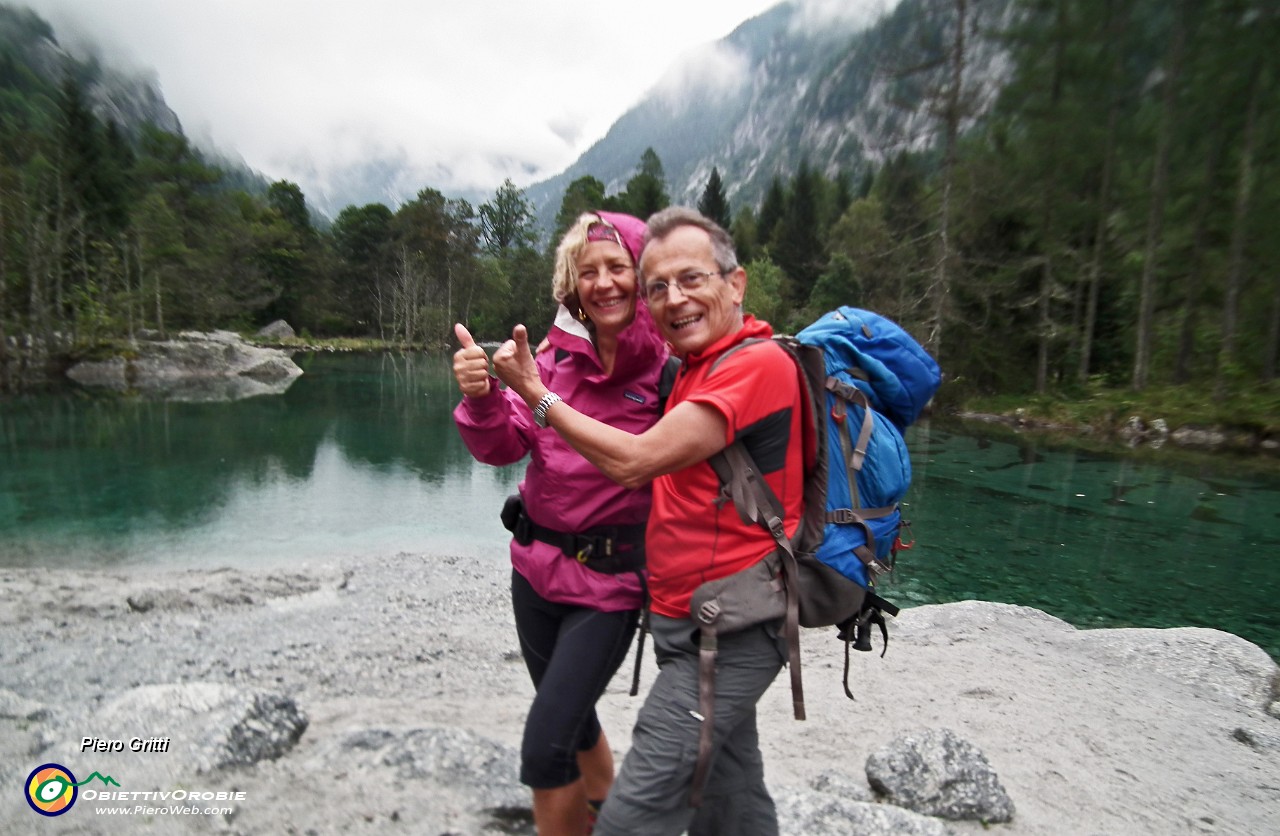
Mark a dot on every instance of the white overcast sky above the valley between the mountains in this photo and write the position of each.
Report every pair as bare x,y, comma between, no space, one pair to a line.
450,94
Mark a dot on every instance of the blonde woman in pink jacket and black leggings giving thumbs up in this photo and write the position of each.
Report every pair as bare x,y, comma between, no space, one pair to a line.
579,537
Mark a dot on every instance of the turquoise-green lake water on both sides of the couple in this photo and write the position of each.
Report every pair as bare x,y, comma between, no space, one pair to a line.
360,458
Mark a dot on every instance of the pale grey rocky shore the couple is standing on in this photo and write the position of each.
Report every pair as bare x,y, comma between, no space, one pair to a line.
387,695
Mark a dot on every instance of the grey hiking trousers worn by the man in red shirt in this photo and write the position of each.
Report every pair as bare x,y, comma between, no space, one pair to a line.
651,794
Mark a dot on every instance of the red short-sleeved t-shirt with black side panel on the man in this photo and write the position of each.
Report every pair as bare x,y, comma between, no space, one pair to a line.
691,538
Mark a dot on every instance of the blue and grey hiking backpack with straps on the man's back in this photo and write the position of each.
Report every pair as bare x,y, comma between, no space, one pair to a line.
866,381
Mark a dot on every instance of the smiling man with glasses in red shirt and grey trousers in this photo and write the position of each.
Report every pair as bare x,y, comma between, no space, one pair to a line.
694,289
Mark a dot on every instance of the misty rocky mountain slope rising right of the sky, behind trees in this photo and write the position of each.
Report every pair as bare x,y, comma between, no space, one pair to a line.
784,88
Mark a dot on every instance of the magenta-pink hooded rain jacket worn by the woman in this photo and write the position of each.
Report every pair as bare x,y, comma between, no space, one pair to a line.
561,490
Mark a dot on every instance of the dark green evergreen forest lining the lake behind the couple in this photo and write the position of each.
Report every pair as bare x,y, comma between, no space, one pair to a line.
1110,222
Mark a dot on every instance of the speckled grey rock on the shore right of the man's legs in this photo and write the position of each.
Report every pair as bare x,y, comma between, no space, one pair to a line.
935,773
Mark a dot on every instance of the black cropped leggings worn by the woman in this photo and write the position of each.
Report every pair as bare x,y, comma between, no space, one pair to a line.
572,655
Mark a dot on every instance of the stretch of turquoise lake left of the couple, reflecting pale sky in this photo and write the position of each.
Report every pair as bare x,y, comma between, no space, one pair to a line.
360,455
